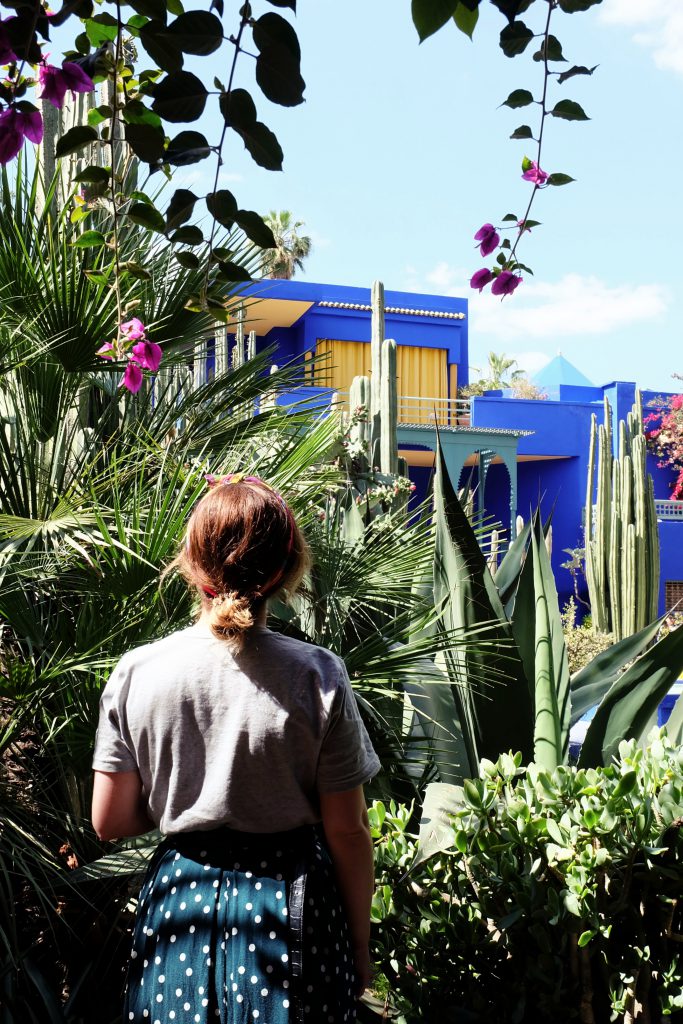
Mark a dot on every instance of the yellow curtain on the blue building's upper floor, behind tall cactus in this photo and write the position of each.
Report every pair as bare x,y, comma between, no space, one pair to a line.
422,373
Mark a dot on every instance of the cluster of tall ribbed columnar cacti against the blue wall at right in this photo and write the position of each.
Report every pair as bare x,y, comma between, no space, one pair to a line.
622,538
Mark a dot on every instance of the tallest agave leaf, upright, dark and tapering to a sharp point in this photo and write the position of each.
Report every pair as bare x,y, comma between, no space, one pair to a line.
493,719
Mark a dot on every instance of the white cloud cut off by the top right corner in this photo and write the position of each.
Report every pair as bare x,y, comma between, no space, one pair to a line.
659,26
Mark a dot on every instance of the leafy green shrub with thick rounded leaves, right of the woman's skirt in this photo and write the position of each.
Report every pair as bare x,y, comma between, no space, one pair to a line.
558,899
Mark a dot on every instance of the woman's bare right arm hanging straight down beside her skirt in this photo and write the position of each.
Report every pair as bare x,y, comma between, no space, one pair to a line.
348,833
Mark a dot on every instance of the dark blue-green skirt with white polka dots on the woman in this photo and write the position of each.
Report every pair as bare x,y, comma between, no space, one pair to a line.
235,928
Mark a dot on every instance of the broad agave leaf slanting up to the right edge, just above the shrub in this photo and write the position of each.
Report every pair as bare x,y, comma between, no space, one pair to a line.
626,712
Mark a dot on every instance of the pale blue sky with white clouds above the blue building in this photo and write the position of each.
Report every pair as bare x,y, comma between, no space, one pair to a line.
401,153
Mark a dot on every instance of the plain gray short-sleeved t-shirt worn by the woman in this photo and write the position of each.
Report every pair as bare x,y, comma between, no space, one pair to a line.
243,740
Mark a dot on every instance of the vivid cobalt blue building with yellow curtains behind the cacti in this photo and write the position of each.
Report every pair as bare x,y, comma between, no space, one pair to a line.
518,452
